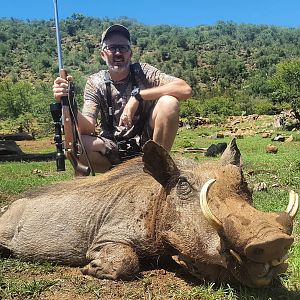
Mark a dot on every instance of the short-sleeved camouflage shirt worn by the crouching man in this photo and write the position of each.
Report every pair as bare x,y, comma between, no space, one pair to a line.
95,98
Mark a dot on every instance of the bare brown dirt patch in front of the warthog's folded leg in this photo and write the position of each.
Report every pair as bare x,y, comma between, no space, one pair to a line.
157,284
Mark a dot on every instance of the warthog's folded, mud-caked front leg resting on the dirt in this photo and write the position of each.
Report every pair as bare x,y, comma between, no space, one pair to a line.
114,261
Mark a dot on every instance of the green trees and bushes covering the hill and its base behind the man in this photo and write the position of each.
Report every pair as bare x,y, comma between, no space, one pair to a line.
225,63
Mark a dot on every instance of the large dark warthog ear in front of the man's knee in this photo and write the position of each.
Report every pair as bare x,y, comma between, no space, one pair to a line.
159,164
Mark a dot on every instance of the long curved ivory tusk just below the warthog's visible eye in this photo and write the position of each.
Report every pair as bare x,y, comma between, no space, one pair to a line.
209,216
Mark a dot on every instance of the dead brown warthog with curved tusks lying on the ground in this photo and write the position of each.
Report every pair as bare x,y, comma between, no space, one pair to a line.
200,214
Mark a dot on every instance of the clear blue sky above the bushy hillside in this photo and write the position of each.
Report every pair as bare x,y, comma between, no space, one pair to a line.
284,13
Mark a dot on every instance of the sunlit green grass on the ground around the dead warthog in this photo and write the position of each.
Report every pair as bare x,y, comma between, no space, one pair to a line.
280,172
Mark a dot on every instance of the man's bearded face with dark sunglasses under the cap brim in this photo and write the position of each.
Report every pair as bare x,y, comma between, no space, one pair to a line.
117,53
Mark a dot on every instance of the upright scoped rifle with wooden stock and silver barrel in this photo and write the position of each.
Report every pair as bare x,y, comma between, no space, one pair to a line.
64,115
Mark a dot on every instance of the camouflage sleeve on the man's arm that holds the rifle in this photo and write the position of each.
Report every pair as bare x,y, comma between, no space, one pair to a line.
91,99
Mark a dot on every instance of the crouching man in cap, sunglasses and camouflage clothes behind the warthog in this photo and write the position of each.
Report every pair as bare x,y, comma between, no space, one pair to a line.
134,102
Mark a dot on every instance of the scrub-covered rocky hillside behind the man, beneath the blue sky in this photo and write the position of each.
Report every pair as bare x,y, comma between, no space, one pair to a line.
226,53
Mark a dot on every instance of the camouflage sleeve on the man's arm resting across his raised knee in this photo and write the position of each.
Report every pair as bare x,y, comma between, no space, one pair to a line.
155,77
